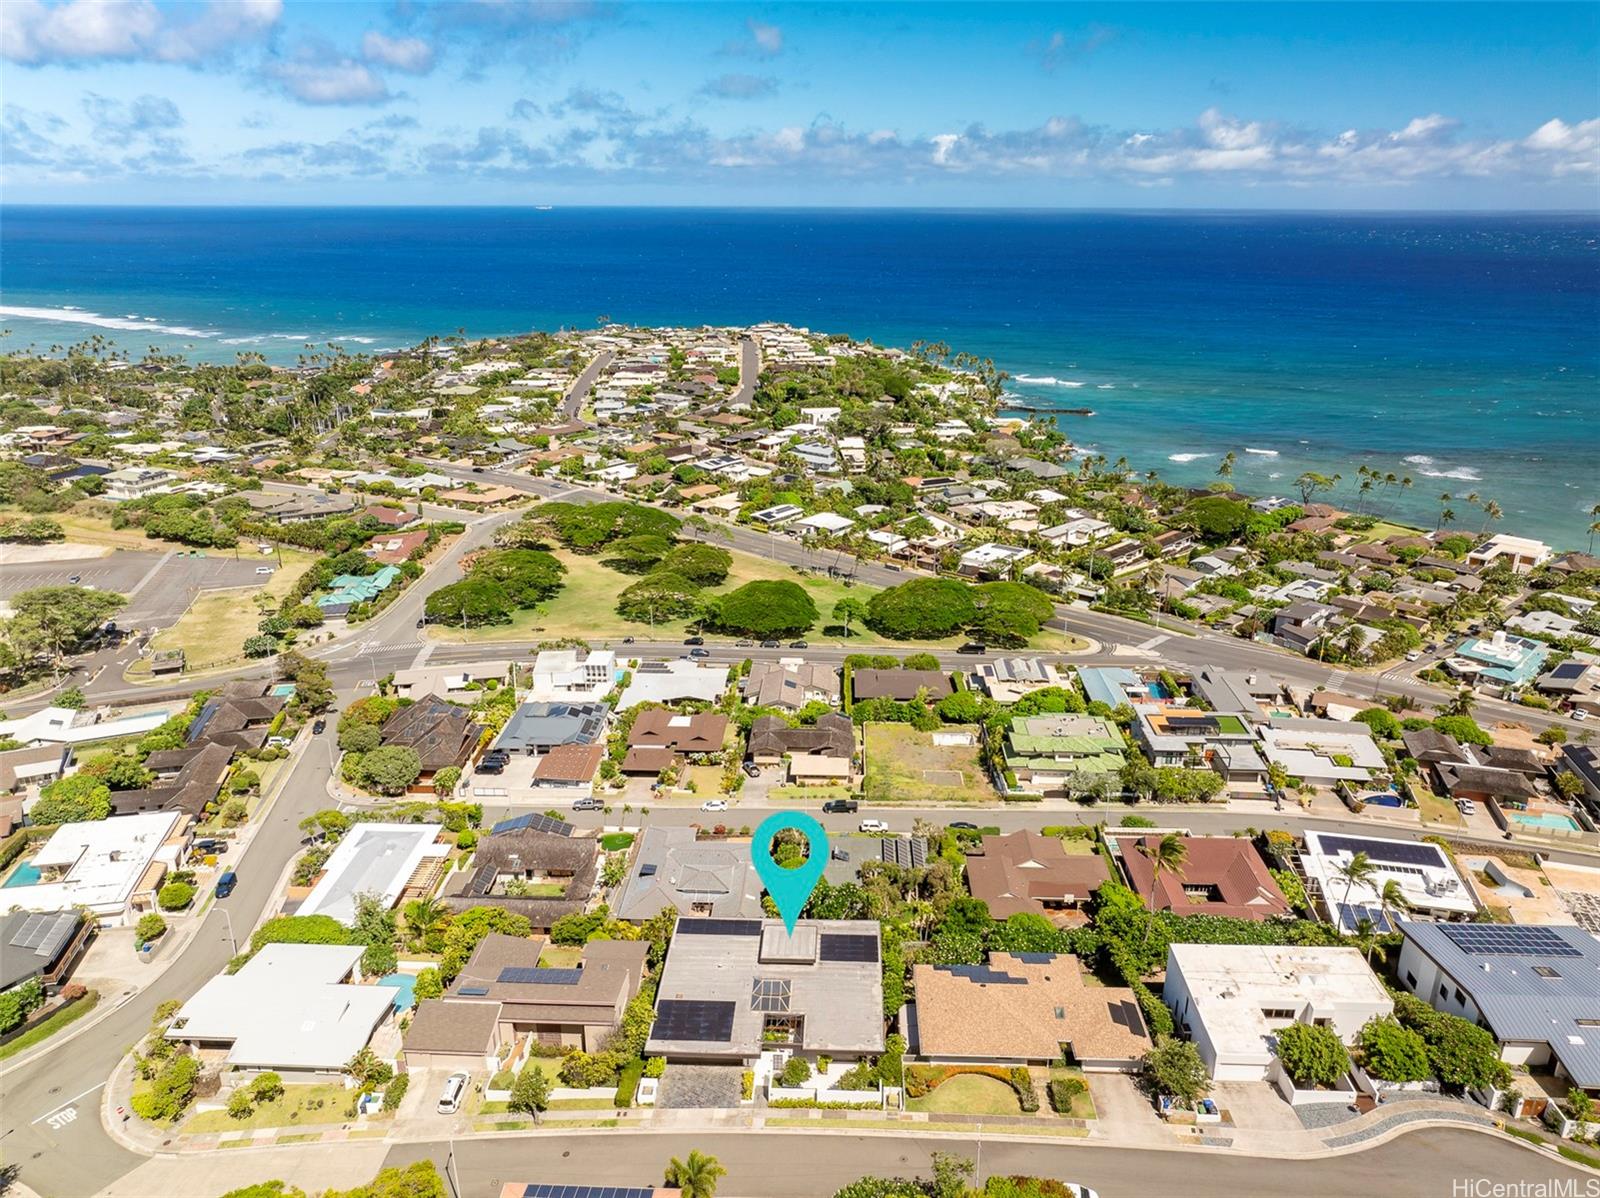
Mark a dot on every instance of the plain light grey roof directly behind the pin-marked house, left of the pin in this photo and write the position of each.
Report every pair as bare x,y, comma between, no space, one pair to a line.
671,869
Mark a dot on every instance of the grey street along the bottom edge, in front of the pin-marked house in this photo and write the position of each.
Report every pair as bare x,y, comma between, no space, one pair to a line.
810,1165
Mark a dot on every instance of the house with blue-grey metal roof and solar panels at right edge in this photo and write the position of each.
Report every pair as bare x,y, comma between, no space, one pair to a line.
1537,989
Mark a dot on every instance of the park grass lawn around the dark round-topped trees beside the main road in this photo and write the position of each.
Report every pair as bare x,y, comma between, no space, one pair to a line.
586,609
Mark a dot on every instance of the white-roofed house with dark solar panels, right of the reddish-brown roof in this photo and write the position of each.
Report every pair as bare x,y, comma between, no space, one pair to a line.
1430,881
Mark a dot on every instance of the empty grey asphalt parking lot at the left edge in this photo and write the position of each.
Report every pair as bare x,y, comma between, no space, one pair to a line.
161,586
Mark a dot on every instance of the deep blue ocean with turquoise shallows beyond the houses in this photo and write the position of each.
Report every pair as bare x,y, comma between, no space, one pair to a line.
1462,351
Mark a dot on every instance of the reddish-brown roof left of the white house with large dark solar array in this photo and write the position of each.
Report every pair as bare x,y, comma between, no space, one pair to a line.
1238,879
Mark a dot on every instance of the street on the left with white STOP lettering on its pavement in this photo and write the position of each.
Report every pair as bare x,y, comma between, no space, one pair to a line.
52,1101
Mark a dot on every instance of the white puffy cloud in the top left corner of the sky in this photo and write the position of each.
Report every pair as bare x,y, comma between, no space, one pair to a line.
90,31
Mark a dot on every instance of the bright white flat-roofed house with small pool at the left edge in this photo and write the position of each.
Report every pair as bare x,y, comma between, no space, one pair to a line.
110,869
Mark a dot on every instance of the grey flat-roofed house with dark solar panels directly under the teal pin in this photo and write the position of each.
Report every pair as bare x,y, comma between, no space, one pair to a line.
734,989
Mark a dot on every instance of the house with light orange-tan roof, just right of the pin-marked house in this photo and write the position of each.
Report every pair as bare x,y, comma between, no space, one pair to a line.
1025,1010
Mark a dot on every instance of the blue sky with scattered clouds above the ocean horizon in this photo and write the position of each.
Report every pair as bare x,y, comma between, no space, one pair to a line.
566,102
